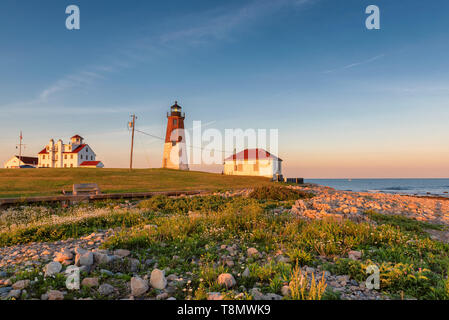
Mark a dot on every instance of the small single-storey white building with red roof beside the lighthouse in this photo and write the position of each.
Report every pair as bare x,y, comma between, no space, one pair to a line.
253,162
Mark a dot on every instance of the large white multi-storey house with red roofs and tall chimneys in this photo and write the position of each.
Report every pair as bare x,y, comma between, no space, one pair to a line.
72,155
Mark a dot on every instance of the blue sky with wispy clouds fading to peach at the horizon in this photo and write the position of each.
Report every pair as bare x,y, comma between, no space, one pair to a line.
348,102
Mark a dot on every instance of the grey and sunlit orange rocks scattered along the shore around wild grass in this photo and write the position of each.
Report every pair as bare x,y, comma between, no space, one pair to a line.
142,275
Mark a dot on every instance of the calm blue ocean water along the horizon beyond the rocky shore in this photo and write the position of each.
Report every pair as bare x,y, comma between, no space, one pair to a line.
435,187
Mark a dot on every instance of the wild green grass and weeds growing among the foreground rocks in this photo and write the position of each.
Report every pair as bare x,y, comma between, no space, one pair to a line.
193,229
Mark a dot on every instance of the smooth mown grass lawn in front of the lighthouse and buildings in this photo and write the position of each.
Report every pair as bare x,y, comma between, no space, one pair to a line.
42,182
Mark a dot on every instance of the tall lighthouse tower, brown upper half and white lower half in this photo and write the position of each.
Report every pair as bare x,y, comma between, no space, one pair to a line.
175,152
